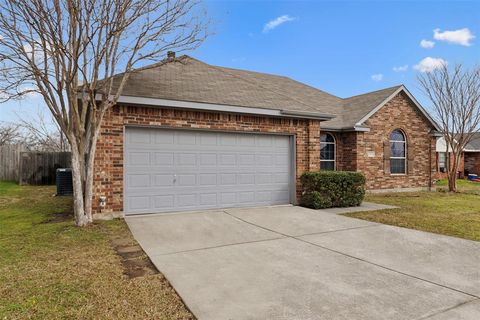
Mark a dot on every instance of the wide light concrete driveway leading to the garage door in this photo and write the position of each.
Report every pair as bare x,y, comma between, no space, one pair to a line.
289,262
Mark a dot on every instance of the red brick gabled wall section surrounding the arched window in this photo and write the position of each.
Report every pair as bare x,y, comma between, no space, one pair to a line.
364,151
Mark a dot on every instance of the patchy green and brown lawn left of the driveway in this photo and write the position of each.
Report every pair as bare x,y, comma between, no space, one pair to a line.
50,269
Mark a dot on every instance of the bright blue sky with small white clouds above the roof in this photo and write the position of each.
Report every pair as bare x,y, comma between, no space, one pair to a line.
341,47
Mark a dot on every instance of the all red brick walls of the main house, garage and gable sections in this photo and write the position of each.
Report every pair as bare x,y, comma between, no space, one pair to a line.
356,151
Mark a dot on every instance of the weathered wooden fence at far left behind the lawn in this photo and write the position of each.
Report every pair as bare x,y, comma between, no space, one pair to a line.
31,167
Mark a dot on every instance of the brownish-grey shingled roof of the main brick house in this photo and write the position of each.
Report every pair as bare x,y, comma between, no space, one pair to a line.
189,80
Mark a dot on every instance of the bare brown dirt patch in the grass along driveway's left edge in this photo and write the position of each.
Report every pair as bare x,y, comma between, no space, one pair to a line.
135,261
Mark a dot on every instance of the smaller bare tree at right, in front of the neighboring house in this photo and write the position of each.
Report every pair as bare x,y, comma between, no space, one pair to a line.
455,96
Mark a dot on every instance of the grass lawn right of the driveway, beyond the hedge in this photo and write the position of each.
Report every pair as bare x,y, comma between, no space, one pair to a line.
456,215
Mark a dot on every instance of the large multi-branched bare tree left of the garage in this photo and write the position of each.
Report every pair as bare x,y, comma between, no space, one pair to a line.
70,50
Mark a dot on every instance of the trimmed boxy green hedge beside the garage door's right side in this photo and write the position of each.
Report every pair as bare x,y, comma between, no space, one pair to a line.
329,189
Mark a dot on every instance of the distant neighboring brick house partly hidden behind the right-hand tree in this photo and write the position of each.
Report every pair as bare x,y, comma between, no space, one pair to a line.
469,159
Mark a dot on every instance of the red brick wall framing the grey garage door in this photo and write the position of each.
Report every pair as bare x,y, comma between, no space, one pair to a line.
108,179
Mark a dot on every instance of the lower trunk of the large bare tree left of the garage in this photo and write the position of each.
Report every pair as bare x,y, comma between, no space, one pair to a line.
81,218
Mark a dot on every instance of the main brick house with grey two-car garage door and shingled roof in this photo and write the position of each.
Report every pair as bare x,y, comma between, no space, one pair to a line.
187,135
